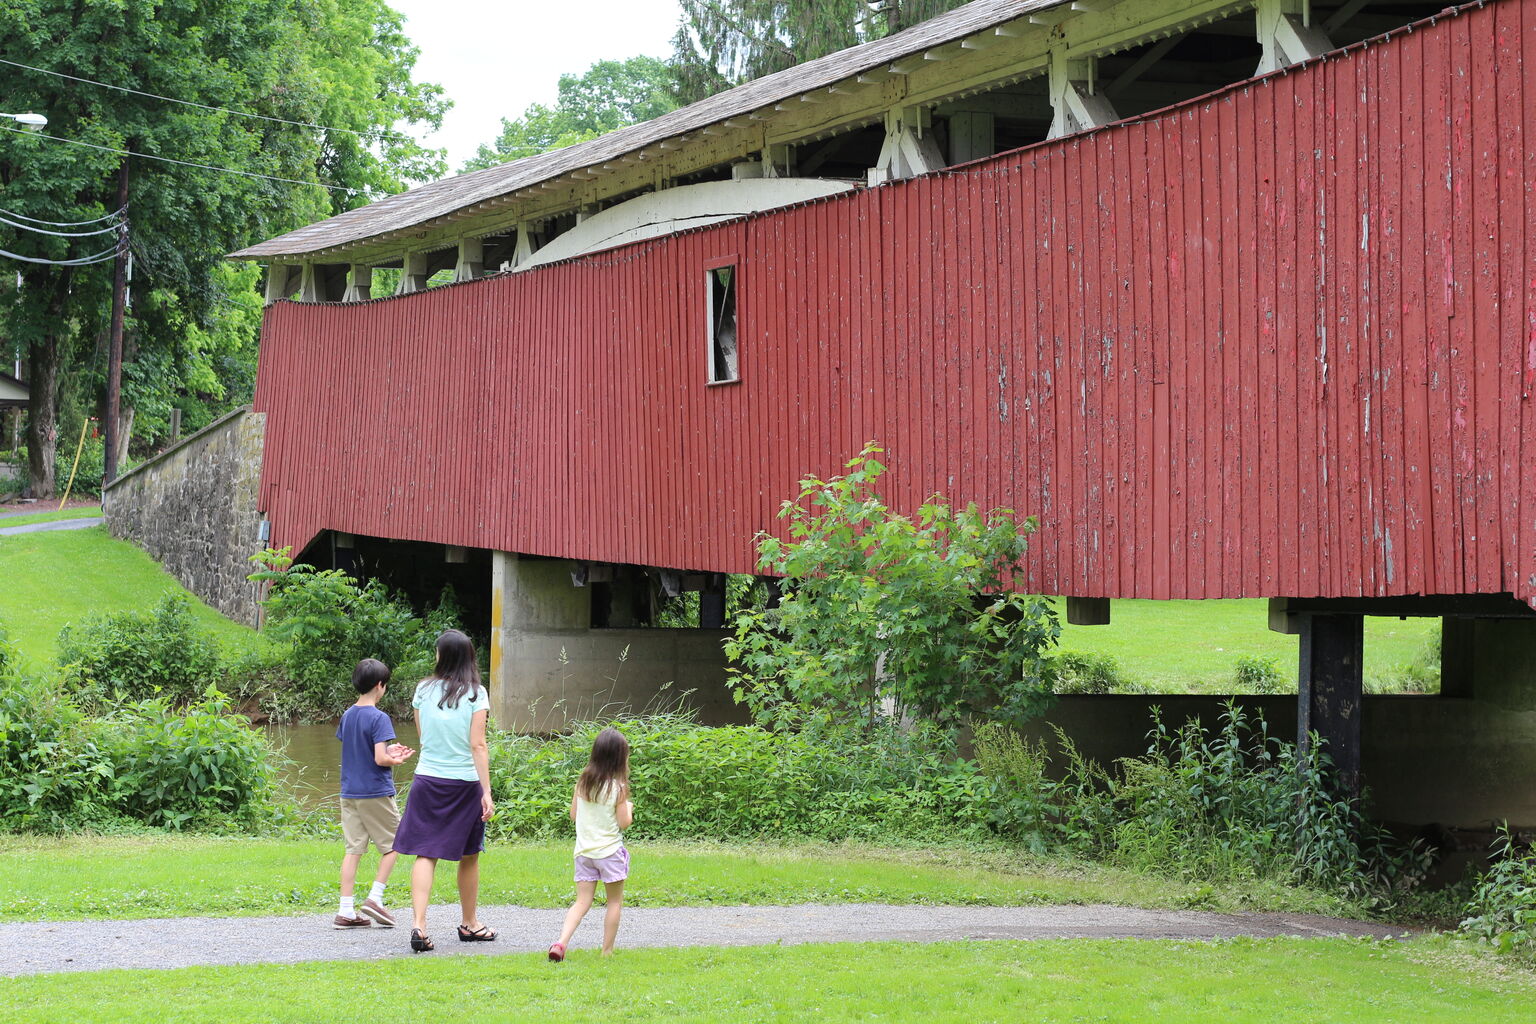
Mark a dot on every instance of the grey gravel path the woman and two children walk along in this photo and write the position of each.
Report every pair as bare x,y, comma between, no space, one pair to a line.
59,946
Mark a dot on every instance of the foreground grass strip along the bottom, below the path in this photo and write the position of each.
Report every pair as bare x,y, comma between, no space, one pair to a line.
1239,982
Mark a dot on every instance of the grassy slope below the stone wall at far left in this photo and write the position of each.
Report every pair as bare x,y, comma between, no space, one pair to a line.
53,580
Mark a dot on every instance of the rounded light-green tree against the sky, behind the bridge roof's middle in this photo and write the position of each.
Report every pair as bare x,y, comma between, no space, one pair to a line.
609,96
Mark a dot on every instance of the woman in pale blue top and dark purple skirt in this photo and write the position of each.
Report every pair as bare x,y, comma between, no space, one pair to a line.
449,801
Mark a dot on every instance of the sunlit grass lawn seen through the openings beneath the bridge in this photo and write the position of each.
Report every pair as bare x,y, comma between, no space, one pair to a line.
1193,646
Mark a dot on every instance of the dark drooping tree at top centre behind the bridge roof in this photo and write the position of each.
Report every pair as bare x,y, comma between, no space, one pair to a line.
723,44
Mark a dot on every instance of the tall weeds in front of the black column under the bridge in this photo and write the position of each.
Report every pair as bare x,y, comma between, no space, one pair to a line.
1214,805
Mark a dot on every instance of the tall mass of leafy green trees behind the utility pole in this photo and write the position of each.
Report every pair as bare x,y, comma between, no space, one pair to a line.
326,62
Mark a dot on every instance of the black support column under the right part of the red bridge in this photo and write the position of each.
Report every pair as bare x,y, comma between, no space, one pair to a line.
1331,689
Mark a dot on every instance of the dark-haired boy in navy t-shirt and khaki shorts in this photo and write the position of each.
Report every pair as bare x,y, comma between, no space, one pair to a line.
369,753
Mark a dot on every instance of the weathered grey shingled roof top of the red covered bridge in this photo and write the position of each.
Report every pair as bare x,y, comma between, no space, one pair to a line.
451,196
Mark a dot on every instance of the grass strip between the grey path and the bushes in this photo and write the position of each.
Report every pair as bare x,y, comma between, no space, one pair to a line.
119,877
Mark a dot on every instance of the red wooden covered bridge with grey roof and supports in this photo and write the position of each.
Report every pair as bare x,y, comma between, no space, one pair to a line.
1239,299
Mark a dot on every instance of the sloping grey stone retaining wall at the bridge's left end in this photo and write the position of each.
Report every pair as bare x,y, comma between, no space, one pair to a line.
194,509
